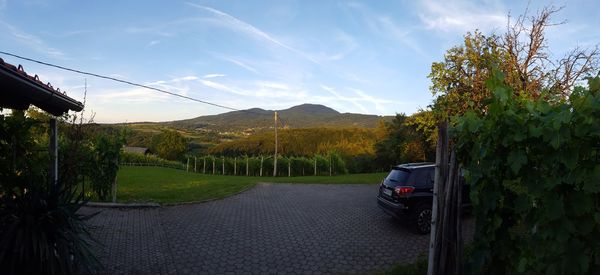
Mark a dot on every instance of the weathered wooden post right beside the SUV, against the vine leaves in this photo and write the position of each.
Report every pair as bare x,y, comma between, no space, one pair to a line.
441,169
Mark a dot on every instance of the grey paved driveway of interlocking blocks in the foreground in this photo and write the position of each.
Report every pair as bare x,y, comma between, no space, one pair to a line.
272,228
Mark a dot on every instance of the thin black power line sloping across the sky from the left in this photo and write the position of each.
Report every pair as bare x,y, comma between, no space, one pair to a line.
127,82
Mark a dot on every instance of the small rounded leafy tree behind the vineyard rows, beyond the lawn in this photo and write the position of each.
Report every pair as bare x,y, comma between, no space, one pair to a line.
169,145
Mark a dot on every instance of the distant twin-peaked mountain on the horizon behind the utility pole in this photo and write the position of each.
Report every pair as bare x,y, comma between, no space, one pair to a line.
301,116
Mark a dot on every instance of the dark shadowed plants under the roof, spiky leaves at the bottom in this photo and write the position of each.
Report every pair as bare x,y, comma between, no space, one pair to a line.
40,229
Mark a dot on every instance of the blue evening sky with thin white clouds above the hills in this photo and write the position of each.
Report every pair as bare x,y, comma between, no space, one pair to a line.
369,57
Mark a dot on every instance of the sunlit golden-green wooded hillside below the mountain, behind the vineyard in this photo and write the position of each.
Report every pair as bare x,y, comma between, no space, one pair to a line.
362,149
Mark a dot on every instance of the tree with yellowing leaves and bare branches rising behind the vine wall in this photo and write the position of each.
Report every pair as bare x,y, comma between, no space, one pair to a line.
521,54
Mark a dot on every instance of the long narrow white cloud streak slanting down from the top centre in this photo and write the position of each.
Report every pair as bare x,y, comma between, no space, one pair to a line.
242,26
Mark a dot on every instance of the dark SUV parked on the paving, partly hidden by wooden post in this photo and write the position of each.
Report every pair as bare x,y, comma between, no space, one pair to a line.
407,193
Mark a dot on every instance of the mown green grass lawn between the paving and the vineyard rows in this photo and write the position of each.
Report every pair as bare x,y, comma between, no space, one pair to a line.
166,185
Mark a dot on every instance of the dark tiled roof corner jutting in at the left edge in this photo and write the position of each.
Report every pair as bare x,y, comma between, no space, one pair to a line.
19,90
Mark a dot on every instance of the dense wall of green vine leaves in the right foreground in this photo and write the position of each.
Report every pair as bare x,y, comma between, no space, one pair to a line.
534,171
